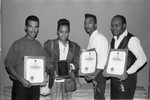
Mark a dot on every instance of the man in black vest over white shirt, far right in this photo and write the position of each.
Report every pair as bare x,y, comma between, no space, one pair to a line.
136,59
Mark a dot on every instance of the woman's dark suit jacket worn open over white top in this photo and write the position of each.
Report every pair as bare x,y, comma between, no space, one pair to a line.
51,49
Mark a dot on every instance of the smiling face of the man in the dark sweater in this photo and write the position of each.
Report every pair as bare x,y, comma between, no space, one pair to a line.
32,29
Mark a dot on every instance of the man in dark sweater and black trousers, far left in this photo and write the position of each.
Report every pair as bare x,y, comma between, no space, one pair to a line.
14,62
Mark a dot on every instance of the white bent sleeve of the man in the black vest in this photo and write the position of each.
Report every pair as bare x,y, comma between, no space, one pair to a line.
136,48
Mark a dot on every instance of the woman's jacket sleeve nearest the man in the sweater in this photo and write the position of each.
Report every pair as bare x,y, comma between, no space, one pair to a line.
49,57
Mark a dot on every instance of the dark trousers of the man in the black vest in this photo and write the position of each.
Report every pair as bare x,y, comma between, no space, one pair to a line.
129,87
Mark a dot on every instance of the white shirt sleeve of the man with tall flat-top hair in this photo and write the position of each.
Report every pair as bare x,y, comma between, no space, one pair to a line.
101,46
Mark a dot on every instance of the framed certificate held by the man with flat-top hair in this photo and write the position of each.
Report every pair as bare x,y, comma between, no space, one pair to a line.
88,61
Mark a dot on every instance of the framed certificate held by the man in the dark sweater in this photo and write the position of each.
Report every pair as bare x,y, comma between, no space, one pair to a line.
34,69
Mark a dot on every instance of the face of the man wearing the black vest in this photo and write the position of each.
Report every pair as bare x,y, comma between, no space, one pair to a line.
117,28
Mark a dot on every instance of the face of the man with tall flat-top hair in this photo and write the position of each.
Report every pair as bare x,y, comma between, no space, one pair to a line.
89,25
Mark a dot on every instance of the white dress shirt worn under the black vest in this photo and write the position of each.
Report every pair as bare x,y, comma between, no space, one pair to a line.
135,47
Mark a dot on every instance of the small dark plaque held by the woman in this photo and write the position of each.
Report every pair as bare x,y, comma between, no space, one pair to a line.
63,69
